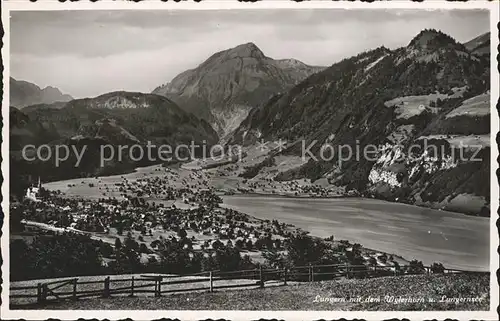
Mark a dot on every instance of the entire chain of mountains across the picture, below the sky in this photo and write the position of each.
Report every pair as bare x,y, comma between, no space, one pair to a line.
434,90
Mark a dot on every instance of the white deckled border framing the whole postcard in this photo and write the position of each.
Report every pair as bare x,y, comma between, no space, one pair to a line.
249,315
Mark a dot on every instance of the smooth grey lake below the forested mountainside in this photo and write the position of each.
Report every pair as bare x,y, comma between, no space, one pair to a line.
456,240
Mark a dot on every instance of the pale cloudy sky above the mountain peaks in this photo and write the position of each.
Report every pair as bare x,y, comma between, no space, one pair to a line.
87,53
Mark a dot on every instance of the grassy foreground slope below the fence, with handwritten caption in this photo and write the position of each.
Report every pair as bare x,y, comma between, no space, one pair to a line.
302,296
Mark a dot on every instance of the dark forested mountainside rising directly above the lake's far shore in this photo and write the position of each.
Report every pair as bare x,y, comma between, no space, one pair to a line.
434,90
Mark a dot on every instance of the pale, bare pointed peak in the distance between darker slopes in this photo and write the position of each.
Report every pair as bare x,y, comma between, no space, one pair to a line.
225,87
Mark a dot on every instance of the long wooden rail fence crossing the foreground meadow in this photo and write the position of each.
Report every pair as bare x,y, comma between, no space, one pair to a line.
156,285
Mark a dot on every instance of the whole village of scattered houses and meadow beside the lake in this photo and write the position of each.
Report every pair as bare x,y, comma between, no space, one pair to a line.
163,207
